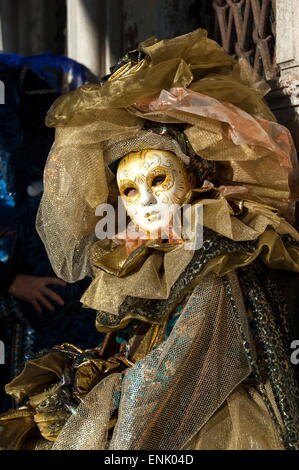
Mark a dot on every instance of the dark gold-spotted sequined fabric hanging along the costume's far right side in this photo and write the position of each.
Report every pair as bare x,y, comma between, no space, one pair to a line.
269,322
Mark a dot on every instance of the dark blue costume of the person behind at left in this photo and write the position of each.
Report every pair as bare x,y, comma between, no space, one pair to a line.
32,84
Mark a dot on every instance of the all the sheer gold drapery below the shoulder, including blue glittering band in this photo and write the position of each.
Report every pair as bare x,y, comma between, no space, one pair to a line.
208,371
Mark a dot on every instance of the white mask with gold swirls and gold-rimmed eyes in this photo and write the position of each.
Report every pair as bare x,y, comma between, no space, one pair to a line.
151,182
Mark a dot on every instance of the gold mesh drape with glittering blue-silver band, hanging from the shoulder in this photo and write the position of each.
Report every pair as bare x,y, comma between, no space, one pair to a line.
167,397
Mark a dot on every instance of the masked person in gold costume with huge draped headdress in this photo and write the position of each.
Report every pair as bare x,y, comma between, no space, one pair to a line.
196,351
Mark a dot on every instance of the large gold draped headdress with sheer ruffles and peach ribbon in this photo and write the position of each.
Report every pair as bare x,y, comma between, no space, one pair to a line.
187,81
